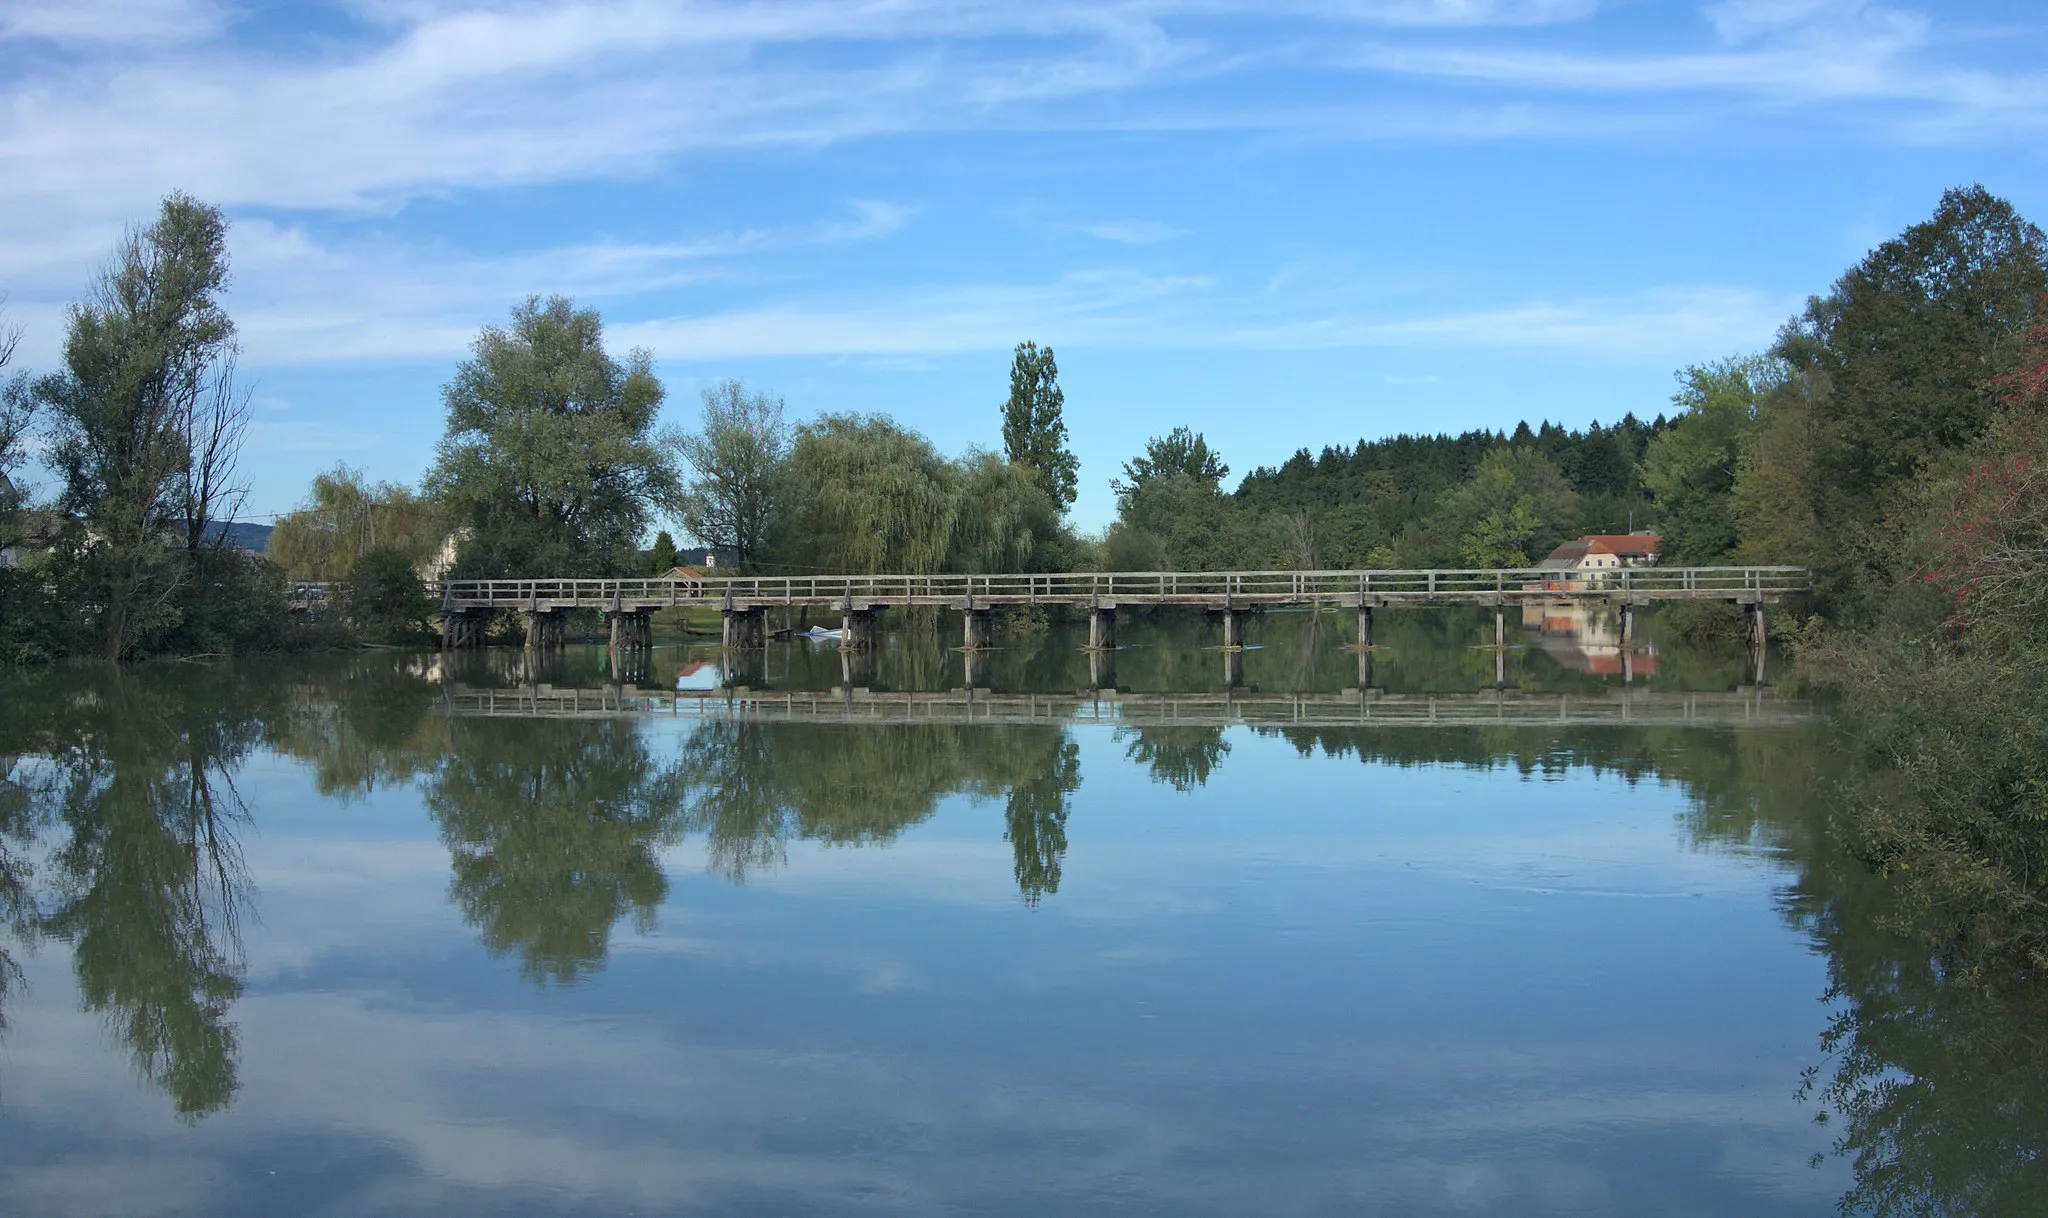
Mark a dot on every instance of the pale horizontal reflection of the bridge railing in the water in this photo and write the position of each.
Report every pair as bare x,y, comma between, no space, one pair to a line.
1748,707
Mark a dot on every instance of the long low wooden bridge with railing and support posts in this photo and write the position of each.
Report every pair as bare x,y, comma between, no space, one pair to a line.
1232,595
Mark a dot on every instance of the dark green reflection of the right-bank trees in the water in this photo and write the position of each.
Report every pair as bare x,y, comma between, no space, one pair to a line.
1936,1084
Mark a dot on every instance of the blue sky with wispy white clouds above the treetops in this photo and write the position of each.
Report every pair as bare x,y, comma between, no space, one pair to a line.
1285,222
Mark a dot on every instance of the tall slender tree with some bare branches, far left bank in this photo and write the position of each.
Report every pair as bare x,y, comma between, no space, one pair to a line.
142,355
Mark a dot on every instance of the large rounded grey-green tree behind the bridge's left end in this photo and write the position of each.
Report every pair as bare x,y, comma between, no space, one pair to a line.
550,462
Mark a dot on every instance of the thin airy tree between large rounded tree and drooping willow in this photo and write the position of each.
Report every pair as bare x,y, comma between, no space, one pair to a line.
734,462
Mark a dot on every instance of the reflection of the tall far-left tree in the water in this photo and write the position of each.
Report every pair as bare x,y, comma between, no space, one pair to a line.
146,881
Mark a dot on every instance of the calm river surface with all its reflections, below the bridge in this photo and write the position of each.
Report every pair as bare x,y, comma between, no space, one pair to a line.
302,939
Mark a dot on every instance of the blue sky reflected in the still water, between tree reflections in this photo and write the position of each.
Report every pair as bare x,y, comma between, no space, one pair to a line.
1312,986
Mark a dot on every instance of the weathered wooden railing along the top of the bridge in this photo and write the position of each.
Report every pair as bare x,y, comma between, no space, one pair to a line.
1134,586
